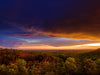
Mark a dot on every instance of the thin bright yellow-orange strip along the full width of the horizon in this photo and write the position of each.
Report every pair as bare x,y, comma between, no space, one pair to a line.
91,46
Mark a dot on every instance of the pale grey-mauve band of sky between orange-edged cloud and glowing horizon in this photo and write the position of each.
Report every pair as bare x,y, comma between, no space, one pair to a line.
58,41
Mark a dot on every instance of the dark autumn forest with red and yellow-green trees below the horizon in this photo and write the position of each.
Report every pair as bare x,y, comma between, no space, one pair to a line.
17,62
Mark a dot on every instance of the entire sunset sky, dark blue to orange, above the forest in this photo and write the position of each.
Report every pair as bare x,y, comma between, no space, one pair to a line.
50,24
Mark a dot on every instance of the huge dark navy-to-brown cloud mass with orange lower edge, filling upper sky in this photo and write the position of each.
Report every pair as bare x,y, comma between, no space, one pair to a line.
79,19
